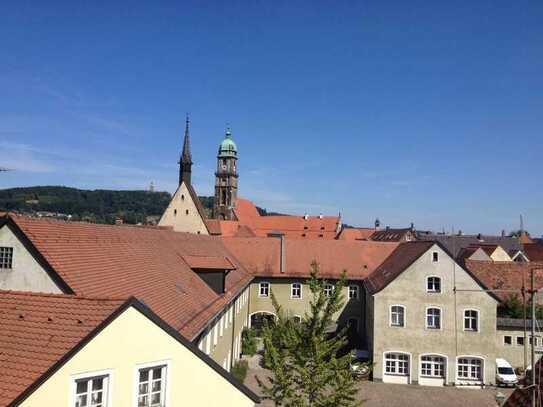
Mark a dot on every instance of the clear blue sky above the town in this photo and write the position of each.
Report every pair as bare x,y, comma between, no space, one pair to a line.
423,111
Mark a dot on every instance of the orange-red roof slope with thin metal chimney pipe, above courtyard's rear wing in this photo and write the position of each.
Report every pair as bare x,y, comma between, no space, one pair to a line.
261,256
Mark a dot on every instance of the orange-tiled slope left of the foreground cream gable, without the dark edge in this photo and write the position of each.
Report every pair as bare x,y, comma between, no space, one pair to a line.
38,330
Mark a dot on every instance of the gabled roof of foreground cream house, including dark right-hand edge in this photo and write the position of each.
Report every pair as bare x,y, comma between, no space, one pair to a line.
41,332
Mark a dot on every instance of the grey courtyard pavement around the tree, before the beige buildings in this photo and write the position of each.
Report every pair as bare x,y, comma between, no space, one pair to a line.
398,395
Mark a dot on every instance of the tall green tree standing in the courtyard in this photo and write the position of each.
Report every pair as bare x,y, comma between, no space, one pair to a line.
307,369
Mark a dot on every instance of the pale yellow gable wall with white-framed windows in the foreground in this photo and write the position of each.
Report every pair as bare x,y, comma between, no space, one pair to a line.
119,354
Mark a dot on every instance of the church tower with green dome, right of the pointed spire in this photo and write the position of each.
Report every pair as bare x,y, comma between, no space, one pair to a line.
226,179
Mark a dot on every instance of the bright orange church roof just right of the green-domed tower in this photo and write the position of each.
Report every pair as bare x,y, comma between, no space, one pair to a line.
310,227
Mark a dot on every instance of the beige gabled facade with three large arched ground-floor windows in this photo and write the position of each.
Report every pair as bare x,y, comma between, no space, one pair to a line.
422,330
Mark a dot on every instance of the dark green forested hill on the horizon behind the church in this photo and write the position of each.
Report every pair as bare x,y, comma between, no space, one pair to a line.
101,206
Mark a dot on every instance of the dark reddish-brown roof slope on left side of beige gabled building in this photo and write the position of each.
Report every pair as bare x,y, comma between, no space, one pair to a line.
400,259
